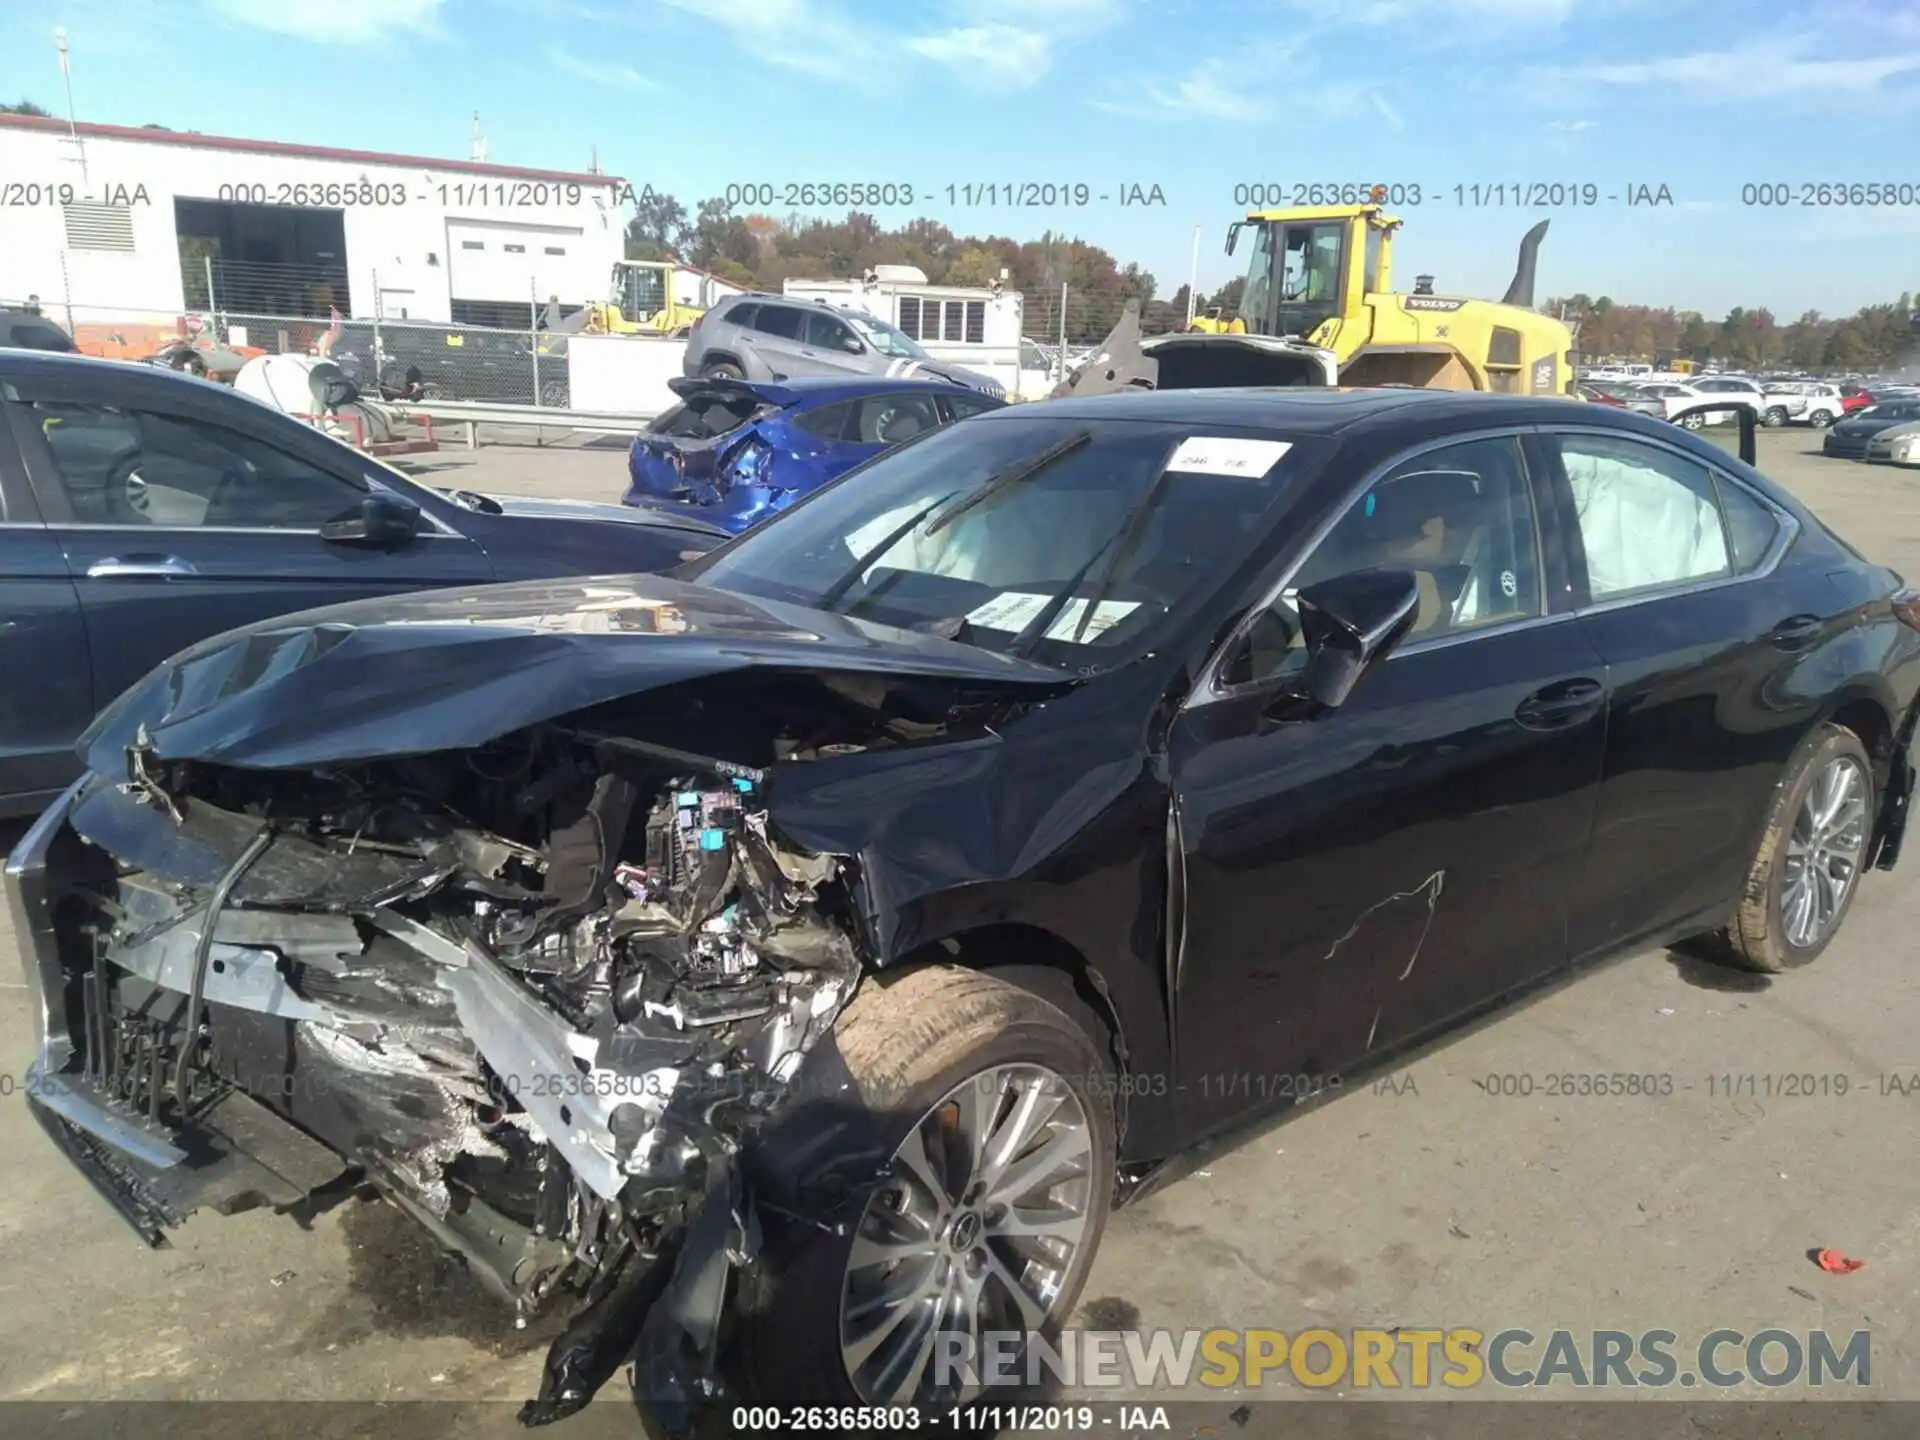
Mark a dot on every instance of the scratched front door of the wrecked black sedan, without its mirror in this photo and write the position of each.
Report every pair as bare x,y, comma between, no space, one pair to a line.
1358,878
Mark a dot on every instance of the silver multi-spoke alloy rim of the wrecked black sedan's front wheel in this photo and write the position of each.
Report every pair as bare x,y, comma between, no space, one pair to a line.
972,1234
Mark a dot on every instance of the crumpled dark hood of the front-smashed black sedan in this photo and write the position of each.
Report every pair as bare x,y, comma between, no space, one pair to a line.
456,669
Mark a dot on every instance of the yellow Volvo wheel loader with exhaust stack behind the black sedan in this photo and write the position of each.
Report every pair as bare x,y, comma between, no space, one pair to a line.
1318,308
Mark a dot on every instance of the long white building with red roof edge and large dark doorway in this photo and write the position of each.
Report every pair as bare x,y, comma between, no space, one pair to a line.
108,222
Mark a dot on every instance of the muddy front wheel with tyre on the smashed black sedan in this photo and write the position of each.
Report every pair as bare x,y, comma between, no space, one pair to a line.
988,1214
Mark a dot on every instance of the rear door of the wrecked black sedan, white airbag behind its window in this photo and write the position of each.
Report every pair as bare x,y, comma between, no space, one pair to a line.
1679,585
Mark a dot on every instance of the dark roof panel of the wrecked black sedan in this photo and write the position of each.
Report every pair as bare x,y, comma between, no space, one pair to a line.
1314,410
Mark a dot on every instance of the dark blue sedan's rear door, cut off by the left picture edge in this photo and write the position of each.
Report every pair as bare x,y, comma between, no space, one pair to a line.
47,694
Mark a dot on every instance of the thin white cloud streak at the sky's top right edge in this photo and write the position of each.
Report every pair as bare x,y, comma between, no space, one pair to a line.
1758,70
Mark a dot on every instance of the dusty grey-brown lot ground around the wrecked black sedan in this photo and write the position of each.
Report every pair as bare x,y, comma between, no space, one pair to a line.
1426,1203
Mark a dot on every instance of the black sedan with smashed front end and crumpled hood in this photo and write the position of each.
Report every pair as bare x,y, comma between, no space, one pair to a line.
786,963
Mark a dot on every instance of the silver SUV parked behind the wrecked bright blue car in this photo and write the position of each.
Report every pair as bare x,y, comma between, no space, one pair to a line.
775,339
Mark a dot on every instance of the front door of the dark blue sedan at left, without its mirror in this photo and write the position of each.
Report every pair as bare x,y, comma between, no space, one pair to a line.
185,512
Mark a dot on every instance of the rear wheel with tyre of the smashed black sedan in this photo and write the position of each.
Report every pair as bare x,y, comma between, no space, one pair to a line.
1810,861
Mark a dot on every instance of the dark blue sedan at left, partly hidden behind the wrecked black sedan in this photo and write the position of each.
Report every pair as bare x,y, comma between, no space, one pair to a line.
141,512
